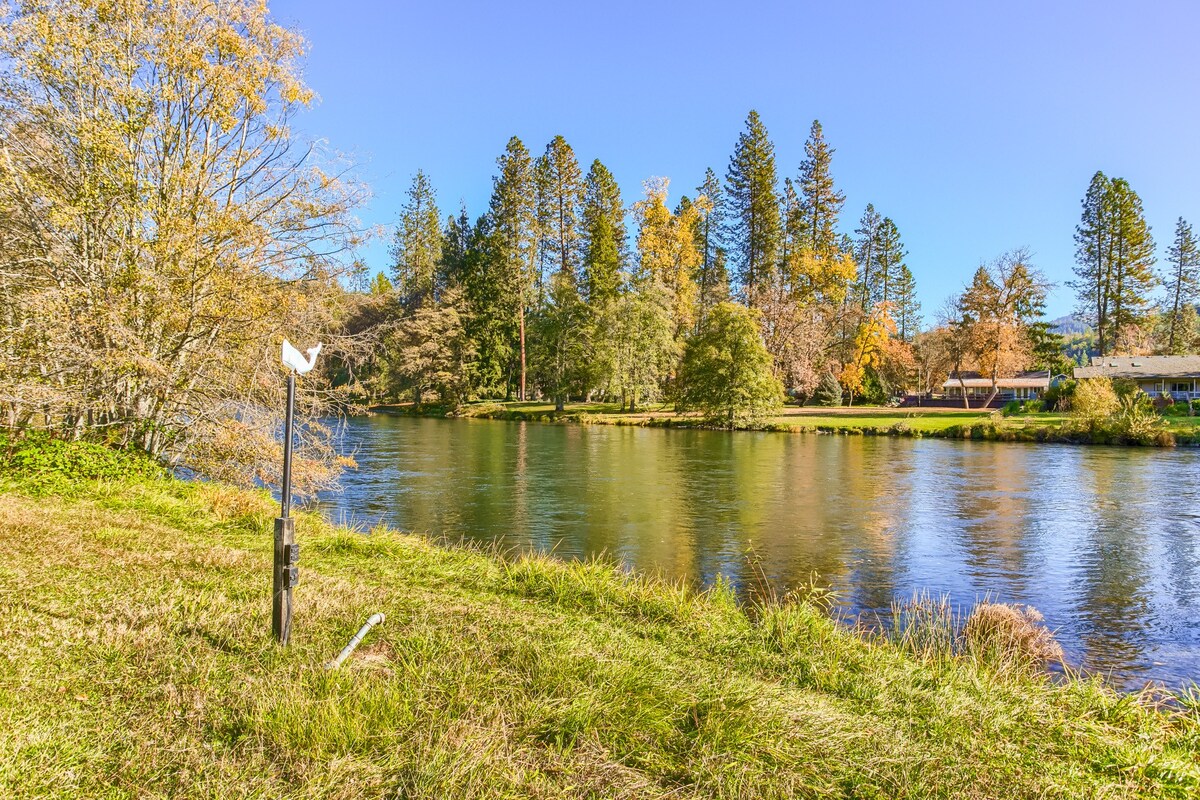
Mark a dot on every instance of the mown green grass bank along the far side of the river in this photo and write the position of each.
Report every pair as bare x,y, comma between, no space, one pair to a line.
939,424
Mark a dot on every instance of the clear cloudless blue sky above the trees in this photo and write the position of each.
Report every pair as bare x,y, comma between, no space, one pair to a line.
975,127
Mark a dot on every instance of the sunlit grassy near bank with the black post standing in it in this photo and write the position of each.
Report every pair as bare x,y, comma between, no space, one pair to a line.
136,661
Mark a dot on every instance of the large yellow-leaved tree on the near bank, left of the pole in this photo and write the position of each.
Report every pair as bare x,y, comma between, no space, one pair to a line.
163,228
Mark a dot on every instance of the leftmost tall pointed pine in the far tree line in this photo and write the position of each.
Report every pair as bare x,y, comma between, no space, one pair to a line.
417,249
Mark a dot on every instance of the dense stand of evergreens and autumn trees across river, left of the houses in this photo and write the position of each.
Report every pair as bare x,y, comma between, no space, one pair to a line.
561,290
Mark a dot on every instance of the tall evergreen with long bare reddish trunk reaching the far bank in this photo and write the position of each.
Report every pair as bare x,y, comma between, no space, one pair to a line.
513,243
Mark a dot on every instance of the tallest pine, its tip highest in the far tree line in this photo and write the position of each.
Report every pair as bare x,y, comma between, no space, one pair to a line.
754,208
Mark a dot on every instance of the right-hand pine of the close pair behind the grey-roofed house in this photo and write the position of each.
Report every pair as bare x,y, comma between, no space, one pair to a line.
1133,262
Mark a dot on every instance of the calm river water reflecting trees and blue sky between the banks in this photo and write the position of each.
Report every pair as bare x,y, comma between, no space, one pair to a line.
1105,542
